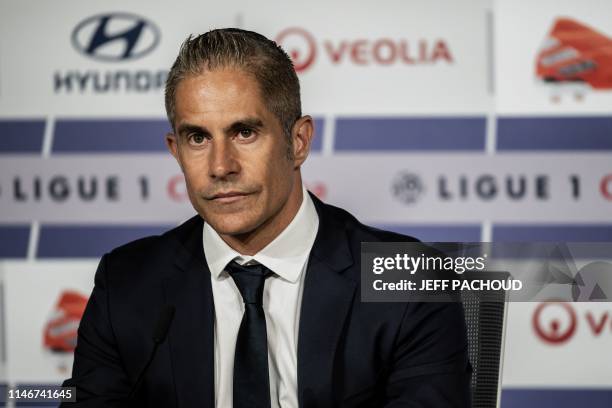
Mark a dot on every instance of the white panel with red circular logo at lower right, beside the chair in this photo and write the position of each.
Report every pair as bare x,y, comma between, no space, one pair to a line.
560,344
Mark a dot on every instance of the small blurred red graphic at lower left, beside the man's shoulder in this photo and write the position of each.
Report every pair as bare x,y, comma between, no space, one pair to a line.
60,334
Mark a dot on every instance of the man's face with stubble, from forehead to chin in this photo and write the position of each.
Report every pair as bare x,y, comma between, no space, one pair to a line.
233,152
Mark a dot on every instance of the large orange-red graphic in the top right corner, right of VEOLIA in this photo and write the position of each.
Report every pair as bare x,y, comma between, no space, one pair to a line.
574,53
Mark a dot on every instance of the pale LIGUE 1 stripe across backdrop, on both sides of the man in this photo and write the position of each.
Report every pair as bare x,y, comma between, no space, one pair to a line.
408,188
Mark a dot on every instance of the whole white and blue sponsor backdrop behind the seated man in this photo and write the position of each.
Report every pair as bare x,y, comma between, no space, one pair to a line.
433,118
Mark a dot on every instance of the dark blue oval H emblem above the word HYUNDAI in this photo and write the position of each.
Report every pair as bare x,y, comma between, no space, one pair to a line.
115,37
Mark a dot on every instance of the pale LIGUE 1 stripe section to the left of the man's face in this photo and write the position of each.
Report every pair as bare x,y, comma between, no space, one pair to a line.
107,189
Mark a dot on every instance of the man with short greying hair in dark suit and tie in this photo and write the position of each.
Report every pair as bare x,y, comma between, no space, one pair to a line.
265,280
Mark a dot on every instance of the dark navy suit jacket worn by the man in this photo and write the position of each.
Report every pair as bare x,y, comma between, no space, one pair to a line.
350,353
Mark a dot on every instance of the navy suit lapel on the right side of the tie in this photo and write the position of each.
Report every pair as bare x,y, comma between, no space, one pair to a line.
326,302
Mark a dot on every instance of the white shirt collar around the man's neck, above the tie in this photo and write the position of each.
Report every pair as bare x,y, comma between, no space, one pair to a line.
285,255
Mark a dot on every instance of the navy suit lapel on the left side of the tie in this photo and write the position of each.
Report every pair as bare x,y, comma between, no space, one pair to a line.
191,335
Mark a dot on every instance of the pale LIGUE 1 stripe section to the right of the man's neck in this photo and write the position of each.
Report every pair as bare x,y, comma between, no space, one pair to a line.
465,188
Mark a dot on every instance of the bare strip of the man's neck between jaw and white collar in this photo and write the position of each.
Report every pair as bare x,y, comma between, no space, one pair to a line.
254,241
